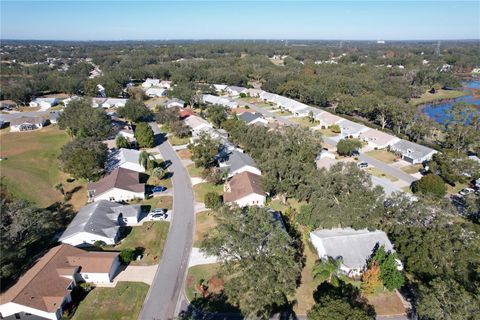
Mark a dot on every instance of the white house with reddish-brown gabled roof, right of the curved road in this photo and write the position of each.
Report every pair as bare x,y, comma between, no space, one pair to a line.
244,189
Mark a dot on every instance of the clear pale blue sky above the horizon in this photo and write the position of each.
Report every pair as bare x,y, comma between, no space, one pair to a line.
141,20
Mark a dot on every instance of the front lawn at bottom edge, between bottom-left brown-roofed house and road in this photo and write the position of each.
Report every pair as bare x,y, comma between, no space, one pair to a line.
120,303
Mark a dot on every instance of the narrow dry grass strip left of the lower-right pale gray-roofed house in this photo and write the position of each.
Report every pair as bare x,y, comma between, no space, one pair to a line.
304,293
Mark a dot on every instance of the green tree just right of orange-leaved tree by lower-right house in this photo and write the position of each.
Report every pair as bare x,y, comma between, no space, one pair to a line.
392,277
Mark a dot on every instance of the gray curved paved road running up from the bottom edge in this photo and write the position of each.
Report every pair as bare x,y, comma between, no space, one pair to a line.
167,289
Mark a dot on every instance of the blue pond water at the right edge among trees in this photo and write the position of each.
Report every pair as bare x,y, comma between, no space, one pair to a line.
439,111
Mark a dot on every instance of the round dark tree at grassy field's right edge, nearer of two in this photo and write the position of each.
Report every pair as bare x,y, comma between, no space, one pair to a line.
84,158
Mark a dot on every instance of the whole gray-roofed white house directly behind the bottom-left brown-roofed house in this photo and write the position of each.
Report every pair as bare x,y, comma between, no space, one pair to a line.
100,221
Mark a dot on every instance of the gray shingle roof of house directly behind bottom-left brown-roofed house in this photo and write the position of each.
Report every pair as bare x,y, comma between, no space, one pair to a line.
100,218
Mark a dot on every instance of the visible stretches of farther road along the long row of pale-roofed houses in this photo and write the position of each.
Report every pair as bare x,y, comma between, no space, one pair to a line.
363,157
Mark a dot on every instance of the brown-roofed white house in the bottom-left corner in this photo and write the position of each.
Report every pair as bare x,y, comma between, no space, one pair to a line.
44,290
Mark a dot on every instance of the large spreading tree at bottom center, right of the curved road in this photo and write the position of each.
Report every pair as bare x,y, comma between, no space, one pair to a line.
260,262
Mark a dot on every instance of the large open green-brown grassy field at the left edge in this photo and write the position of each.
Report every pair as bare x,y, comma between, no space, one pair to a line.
32,164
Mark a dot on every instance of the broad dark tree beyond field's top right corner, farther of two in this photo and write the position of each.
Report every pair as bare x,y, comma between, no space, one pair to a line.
84,121
